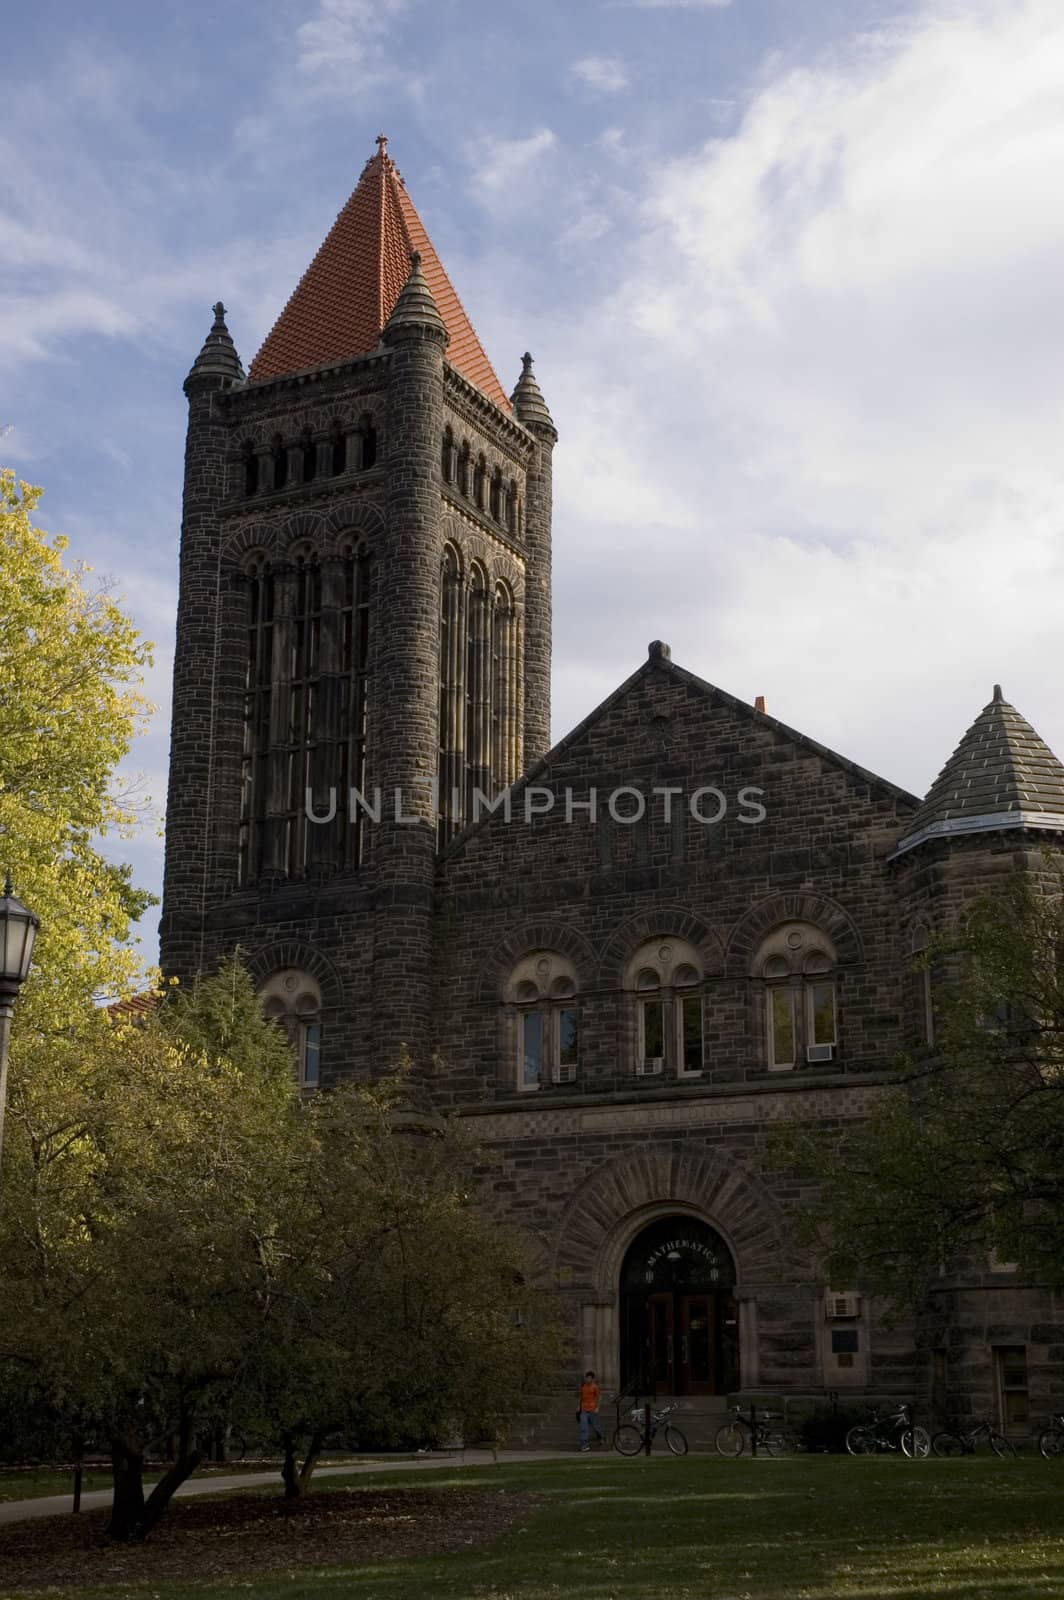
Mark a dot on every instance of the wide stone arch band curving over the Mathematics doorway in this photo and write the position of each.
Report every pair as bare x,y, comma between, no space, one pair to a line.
615,1204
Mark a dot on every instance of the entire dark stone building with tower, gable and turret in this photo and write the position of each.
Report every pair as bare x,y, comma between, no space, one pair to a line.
623,958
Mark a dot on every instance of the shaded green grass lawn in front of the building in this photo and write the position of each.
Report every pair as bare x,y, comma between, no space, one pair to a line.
807,1529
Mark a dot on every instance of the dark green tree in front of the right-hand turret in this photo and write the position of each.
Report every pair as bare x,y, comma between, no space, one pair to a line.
966,1156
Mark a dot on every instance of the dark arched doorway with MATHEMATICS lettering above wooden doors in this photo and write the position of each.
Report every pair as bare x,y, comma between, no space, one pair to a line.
678,1311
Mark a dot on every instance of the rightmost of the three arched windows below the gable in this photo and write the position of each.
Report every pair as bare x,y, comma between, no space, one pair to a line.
798,966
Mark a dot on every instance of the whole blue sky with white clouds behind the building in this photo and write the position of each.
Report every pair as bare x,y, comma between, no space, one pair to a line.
791,276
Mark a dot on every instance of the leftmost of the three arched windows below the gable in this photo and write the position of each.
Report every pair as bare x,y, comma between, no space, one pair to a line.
542,994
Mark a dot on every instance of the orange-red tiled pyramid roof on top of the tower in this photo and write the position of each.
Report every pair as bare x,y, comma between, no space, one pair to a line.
348,294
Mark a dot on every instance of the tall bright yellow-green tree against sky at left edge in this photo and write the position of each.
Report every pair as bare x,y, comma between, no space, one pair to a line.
71,665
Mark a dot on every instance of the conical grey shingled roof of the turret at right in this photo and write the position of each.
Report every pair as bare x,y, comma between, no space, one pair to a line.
1001,775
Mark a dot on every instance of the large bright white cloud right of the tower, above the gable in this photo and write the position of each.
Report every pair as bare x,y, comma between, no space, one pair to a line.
823,452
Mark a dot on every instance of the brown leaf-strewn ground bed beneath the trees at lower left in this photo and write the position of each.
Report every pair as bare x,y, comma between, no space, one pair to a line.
255,1535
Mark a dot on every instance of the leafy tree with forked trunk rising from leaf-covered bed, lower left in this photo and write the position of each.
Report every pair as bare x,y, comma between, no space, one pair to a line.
143,1182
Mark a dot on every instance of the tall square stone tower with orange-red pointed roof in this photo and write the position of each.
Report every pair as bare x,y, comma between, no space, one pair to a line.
364,633
